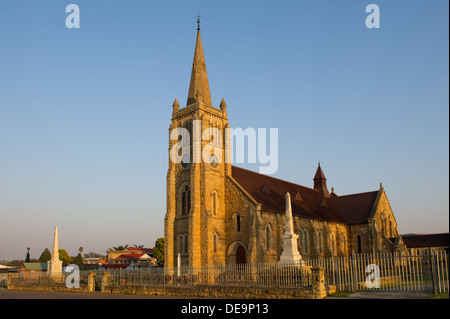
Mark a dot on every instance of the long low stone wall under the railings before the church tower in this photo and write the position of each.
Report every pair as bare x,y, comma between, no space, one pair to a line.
214,291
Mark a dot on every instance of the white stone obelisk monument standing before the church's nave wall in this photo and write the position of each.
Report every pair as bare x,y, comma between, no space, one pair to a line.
290,254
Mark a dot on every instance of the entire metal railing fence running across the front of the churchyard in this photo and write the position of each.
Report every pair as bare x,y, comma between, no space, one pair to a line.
384,271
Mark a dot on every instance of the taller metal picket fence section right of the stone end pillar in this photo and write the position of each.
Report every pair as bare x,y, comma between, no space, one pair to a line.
387,271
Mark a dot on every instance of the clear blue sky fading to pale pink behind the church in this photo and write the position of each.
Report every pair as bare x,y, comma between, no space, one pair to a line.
84,113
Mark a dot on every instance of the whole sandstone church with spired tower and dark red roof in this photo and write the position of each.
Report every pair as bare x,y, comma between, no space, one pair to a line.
219,214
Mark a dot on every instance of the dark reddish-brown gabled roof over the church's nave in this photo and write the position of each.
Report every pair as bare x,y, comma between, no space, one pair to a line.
310,203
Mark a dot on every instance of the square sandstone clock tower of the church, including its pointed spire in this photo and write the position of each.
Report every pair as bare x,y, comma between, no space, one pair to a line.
195,217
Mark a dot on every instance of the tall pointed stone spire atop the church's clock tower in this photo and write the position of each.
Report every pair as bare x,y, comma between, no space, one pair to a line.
199,86
